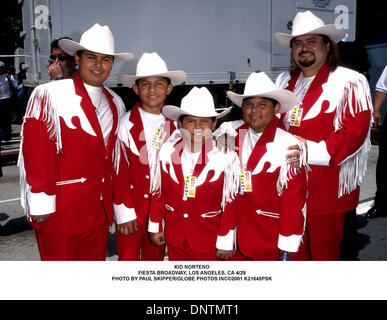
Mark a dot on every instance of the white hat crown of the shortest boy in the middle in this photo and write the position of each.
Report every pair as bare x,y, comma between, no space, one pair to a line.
198,101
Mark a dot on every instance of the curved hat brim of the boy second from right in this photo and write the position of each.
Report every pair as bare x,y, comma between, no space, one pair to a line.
285,98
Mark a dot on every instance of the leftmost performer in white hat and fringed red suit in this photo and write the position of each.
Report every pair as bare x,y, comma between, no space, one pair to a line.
68,137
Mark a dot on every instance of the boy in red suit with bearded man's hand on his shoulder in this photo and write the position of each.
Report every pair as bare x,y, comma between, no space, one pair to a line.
272,200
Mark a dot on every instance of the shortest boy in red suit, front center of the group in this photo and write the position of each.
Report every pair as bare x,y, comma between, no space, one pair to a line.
195,186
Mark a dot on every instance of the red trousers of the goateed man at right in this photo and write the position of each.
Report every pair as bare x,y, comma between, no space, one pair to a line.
325,234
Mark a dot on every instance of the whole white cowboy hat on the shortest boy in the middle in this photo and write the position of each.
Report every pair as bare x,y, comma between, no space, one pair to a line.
198,103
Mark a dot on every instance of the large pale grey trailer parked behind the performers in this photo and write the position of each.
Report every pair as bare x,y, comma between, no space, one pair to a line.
213,41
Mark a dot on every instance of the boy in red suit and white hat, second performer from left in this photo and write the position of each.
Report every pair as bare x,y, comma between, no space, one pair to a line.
142,130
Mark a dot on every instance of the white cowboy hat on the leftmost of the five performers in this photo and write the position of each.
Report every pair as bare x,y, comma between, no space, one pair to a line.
97,39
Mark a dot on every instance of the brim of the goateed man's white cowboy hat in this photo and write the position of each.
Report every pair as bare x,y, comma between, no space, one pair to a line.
330,30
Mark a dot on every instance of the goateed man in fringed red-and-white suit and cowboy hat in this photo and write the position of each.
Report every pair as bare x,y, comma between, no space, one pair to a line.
333,118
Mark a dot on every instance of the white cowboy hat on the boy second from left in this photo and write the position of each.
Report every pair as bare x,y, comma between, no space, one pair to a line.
152,65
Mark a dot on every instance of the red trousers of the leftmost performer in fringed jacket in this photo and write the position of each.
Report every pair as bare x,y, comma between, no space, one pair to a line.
88,246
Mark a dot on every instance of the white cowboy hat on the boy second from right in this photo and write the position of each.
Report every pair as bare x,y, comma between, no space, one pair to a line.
260,85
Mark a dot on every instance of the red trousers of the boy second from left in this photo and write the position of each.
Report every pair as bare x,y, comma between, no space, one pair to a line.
137,246
